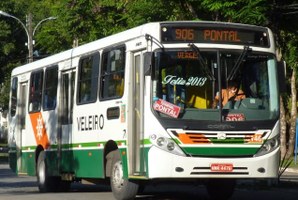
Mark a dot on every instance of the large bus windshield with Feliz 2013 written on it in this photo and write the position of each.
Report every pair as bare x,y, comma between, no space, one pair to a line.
221,85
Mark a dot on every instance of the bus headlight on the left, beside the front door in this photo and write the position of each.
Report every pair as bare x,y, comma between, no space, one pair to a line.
166,144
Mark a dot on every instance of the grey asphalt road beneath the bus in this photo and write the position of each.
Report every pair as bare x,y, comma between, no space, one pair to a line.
25,188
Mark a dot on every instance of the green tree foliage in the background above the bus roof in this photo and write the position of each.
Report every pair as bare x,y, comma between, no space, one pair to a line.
83,21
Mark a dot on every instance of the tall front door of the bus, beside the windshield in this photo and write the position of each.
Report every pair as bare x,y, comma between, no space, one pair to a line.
136,136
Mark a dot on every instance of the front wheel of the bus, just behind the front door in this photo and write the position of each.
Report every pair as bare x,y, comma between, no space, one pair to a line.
122,188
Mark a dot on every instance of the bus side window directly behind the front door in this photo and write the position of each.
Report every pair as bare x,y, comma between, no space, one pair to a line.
112,74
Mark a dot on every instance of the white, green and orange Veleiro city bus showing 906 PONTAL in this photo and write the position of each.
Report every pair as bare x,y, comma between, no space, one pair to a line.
138,107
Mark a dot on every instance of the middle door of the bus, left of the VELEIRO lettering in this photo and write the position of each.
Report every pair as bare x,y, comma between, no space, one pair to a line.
65,121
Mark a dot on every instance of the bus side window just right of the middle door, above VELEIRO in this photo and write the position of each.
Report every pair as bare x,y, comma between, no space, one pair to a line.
88,78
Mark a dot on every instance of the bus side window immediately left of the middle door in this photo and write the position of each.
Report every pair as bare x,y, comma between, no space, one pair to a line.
50,88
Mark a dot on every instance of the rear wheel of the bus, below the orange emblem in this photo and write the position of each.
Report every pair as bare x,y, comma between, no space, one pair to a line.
45,182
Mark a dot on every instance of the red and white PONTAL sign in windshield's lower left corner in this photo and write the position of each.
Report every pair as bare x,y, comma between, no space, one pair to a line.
166,108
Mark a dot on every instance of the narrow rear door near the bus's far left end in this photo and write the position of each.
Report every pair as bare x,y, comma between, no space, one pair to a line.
20,126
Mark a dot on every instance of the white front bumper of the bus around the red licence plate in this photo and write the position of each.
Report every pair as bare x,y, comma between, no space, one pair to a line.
167,165
